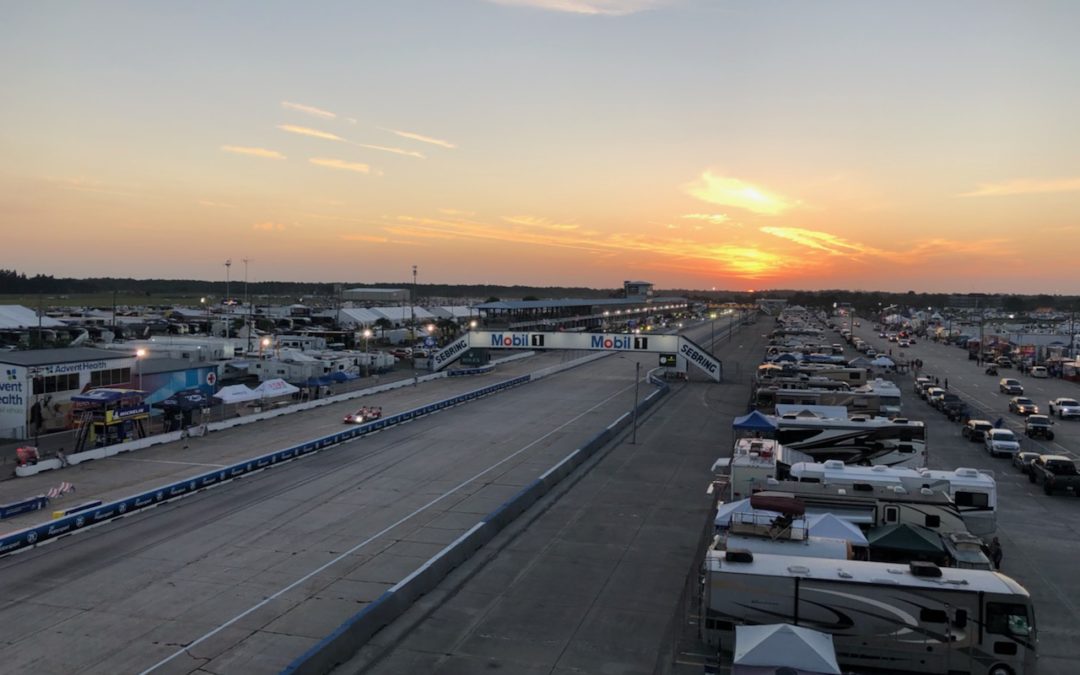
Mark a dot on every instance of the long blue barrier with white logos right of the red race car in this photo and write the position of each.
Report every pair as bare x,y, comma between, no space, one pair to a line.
99,514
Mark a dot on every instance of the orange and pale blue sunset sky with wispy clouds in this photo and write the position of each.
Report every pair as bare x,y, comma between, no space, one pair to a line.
695,144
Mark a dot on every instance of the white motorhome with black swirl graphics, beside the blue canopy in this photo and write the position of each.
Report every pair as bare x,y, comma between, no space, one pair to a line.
856,440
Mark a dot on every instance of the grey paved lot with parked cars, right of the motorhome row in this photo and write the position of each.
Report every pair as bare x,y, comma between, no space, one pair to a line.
1041,534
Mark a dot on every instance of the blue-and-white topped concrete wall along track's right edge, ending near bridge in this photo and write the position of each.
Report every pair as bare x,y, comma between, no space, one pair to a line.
344,643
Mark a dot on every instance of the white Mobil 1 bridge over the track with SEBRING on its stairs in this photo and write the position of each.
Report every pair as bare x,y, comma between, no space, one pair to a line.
674,350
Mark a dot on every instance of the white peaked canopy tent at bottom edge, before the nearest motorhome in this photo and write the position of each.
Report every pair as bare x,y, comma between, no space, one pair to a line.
785,646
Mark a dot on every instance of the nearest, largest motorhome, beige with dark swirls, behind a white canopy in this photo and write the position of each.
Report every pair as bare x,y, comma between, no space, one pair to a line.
884,617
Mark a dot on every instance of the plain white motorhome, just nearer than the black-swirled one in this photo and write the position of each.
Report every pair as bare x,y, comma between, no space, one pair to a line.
975,493
